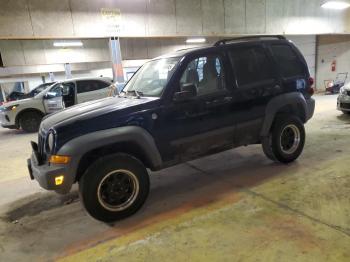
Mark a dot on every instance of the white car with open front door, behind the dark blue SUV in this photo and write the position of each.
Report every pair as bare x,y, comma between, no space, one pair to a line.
27,113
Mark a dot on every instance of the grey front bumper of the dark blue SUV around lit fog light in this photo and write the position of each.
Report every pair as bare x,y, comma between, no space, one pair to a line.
45,173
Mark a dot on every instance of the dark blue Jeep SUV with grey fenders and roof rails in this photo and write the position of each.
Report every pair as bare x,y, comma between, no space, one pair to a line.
178,107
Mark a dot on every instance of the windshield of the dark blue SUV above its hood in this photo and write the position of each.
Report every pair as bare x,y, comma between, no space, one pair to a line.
152,77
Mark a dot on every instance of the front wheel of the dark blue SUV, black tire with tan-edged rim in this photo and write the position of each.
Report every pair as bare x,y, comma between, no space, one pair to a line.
101,185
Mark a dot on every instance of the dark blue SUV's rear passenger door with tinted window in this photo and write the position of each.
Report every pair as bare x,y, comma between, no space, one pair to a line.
256,83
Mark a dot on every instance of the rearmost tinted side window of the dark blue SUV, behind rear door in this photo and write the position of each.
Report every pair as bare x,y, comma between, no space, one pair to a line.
288,61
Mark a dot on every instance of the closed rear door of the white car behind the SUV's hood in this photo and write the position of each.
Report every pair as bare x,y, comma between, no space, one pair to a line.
88,90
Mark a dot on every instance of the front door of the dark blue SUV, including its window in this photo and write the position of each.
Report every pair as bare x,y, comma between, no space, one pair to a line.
202,124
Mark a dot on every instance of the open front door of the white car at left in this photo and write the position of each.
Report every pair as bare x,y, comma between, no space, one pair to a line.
53,100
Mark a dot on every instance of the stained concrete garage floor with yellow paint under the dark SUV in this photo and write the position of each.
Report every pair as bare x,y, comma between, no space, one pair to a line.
233,206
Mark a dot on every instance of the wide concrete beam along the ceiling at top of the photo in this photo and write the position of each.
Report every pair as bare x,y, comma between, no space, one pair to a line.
101,18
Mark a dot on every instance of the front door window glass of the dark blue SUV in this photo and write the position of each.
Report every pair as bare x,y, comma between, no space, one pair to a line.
206,73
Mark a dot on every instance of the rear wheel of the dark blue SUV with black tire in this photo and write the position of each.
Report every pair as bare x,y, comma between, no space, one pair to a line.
286,140
